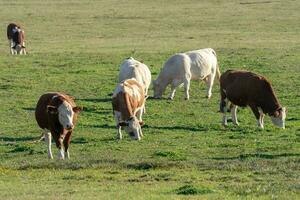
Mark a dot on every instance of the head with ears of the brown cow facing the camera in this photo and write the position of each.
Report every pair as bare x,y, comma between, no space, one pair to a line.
65,114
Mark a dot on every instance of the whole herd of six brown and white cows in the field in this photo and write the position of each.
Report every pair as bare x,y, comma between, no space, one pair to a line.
56,113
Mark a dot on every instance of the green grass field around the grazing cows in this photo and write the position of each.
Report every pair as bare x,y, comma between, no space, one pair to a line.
77,46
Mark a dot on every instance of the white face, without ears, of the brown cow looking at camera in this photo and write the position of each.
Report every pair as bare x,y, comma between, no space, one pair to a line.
65,115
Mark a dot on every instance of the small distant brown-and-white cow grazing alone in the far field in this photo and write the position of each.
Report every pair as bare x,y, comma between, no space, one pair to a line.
16,39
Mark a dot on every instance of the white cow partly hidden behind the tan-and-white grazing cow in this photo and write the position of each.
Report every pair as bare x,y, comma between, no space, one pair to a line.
132,68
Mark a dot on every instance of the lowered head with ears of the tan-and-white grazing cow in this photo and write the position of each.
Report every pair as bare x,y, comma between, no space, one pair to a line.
133,127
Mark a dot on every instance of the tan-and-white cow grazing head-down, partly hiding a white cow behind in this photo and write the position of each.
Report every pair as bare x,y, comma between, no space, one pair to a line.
128,101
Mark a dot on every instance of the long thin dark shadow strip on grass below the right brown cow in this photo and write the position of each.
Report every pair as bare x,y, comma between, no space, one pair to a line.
258,155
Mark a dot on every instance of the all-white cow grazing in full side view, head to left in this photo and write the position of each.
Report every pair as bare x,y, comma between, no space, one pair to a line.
181,68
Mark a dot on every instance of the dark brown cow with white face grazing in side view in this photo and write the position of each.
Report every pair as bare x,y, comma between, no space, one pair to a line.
243,88
